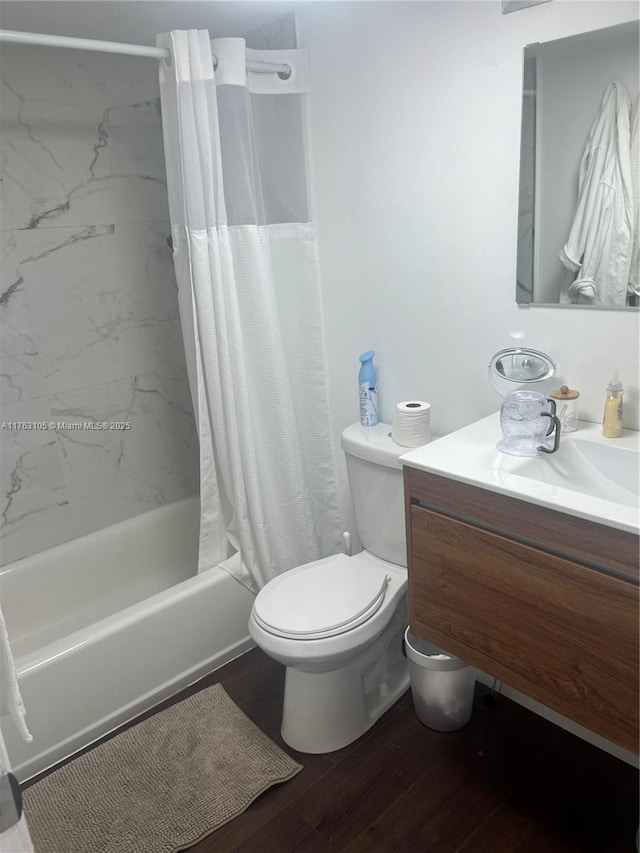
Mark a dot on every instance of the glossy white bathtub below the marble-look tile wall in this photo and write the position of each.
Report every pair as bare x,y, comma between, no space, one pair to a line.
108,625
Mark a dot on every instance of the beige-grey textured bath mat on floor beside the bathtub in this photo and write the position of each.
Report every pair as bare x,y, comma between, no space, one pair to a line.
159,786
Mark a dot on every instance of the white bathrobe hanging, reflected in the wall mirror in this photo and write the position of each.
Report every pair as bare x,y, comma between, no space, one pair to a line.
600,241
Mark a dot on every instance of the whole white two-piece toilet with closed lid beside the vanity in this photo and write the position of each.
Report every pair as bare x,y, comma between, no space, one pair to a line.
337,624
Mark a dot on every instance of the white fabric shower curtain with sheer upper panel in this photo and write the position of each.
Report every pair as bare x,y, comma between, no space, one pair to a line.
246,263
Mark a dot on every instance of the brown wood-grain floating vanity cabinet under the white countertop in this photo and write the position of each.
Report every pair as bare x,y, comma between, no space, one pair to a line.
544,601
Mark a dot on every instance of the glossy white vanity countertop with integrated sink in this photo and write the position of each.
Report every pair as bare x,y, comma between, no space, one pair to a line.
563,481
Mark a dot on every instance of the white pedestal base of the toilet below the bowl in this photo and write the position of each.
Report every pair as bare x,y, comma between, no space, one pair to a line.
325,711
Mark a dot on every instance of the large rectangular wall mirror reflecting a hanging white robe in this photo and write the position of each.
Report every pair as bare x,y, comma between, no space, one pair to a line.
573,89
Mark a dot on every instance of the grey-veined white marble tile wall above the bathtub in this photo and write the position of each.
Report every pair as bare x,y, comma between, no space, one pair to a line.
89,325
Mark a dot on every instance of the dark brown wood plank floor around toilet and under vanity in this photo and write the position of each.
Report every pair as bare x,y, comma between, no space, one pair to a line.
509,781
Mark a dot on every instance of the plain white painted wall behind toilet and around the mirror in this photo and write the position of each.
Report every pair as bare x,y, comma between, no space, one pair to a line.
415,122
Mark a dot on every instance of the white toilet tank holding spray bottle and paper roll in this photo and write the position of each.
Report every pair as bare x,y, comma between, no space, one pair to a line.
377,490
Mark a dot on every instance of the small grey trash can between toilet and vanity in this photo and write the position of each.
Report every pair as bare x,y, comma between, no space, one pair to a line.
442,685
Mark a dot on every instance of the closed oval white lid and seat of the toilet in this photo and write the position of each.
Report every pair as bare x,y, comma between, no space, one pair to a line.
323,598
